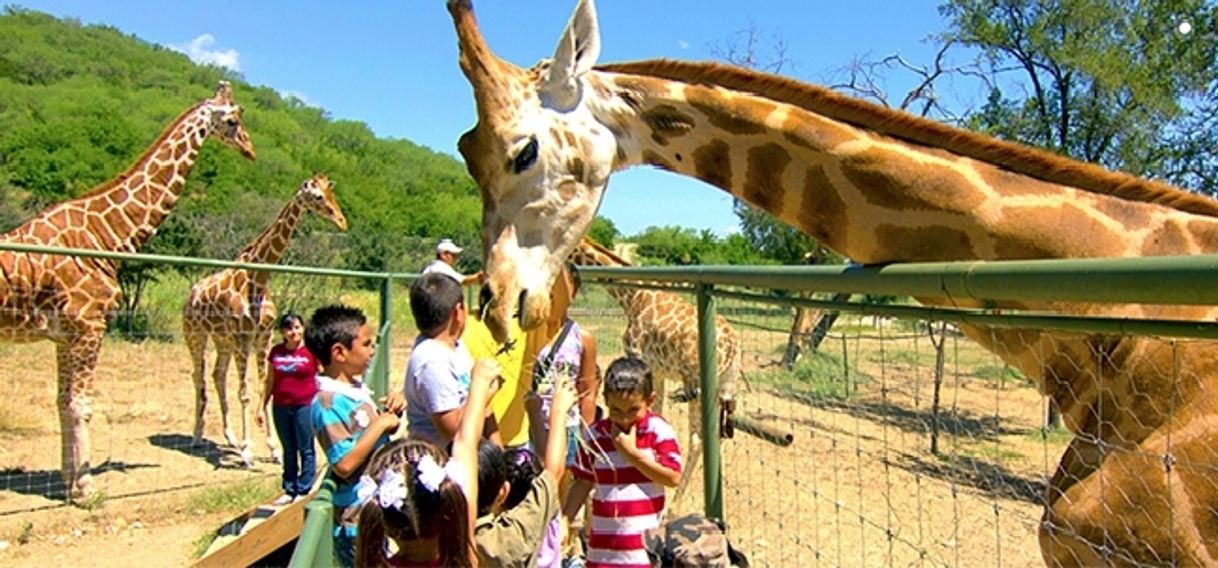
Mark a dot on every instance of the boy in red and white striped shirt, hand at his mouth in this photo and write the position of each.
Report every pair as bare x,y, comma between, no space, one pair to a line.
628,459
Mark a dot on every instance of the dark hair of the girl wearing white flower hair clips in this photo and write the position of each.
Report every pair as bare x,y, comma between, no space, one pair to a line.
440,515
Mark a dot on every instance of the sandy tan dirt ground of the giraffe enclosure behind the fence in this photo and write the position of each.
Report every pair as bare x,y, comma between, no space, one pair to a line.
858,487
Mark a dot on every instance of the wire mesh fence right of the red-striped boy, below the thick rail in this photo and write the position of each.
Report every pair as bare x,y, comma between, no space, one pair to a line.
891,443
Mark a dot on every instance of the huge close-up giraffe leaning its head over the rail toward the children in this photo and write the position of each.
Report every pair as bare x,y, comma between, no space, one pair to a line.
879,186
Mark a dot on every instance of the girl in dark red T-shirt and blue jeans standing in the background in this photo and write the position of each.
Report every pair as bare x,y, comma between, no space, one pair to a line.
292,385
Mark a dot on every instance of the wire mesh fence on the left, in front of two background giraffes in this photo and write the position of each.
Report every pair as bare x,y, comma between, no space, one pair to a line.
143,399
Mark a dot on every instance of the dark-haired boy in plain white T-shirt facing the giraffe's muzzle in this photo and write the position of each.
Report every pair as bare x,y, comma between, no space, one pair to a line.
439,372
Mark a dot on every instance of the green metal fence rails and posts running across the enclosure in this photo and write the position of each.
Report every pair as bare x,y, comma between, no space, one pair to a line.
1167,281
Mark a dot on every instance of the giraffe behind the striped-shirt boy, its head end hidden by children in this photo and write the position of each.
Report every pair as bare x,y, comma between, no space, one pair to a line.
662,330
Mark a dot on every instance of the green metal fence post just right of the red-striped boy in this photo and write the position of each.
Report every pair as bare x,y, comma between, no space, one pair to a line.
713,474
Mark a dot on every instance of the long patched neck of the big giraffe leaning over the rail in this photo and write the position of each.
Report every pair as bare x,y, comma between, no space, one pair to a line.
871,197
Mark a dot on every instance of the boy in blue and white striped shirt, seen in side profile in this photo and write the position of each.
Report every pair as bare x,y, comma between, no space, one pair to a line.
344,416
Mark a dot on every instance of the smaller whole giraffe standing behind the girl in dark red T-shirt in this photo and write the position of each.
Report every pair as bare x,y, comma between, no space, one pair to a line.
233,308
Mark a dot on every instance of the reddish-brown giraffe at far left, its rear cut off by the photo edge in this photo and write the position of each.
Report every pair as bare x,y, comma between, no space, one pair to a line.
66,300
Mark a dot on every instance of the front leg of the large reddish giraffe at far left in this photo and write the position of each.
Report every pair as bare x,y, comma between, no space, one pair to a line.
77,361
